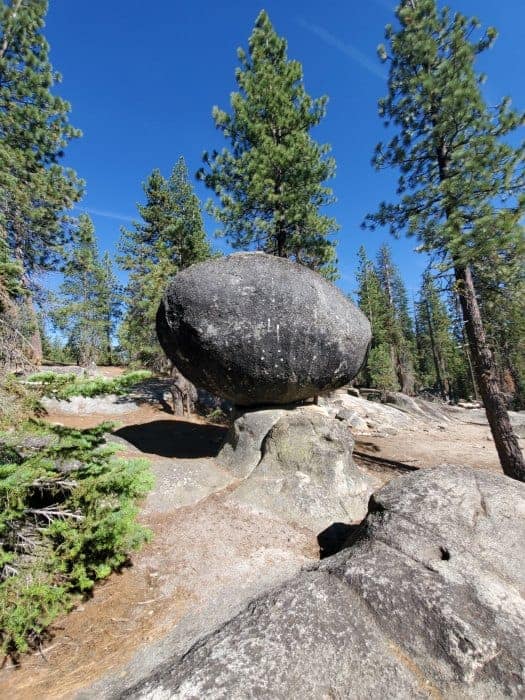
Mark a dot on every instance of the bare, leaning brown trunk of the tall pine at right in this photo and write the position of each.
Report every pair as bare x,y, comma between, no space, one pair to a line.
485,369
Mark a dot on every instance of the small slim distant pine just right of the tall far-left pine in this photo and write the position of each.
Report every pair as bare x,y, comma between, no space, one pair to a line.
81,315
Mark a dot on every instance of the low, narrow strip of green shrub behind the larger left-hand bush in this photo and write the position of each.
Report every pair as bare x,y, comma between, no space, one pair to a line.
64,386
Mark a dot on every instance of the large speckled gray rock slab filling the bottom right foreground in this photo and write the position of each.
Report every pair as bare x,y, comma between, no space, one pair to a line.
427,602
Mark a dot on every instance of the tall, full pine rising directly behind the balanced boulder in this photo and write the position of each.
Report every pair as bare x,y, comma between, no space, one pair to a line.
270,184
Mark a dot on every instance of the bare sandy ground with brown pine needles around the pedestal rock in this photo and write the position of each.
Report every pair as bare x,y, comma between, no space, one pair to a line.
203,549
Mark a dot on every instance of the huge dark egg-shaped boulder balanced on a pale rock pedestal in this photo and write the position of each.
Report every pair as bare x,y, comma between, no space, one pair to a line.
257,329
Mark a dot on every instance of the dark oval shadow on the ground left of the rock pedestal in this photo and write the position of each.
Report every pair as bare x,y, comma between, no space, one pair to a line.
179,439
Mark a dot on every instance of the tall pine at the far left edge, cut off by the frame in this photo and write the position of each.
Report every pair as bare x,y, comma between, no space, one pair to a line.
34,131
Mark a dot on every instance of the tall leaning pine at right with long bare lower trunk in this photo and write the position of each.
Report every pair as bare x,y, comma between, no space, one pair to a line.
462,182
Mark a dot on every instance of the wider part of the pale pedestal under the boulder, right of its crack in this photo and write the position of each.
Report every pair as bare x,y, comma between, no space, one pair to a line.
305,474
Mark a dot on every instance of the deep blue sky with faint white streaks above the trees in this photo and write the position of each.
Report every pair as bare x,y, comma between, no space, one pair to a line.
142,78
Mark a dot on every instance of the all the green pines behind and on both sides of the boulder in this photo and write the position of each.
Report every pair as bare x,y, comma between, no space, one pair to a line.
460,194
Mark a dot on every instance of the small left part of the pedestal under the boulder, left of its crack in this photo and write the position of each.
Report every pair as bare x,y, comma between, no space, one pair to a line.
241,451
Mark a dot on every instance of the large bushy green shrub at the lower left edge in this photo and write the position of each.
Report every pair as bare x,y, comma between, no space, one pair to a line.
67,519
